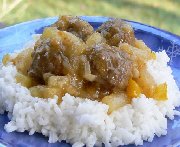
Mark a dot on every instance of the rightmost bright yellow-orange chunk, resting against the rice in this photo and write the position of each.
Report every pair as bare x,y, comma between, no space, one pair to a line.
160,92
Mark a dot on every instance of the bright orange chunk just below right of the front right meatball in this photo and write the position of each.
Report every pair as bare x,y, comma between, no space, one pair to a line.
133,90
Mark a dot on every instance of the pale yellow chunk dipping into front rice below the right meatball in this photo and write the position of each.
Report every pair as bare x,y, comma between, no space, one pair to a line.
115,101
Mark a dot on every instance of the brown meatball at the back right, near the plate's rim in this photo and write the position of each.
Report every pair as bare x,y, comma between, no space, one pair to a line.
117,31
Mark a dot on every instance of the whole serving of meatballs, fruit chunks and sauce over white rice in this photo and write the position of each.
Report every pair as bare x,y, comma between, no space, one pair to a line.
88,86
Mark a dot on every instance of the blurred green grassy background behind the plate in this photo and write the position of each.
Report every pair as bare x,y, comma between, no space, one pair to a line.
164,14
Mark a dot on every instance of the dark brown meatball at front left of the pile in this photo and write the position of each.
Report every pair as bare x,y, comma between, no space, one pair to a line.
45,59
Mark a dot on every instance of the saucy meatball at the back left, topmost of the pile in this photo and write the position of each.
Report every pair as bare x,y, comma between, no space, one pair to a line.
74,25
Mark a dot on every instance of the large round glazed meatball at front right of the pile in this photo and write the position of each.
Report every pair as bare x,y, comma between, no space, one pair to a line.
112,66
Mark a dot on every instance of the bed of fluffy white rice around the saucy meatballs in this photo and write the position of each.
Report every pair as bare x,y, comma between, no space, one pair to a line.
85,122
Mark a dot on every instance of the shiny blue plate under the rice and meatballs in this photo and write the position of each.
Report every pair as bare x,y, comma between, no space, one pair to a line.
14,37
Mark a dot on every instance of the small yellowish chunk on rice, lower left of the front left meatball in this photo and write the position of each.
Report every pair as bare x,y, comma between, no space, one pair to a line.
25,80
